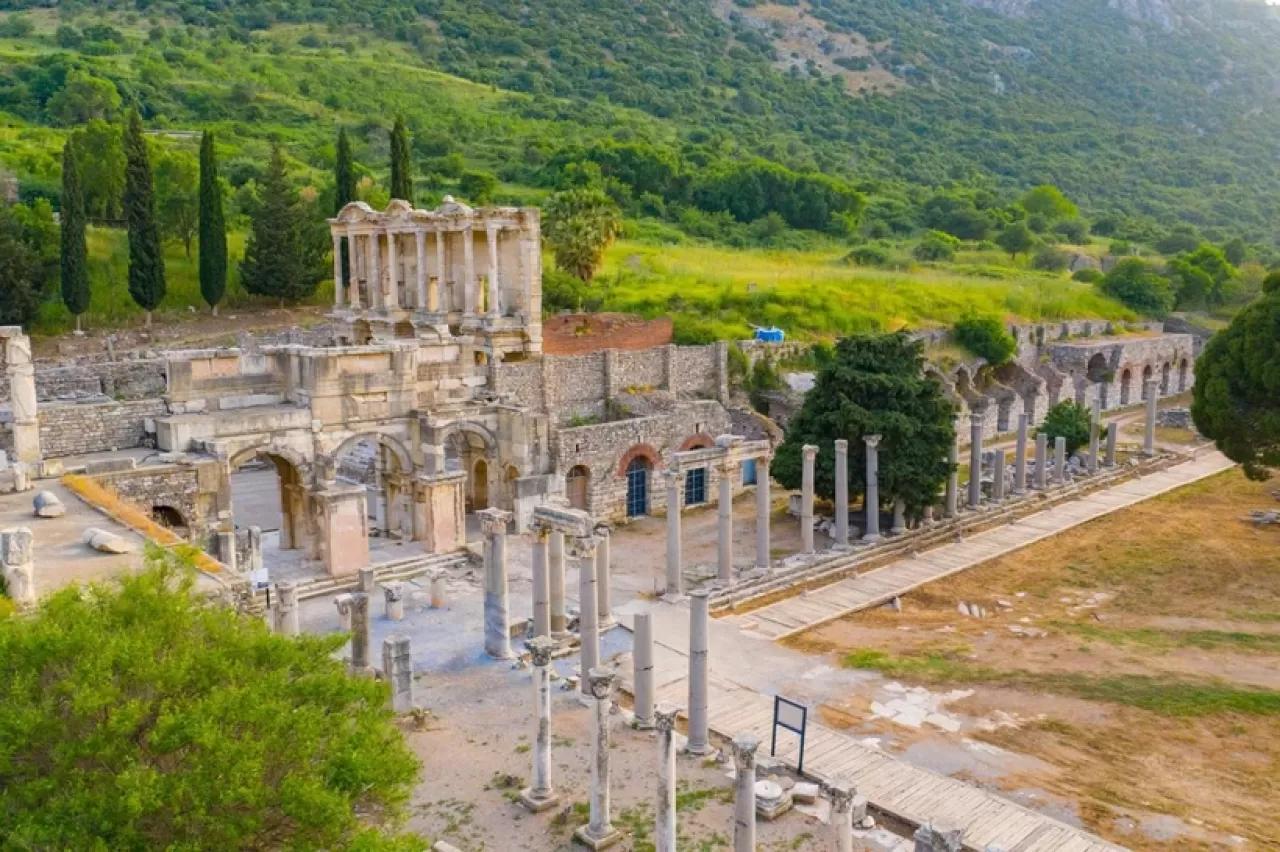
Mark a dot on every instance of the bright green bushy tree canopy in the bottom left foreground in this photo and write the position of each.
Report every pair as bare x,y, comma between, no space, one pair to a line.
140,717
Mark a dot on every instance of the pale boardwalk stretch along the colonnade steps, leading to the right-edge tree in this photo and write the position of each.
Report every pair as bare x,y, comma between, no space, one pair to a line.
843,598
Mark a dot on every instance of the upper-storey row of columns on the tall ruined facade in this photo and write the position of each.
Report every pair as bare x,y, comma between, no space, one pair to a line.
365,255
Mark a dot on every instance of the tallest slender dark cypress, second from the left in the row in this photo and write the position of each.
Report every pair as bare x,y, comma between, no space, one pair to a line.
147,262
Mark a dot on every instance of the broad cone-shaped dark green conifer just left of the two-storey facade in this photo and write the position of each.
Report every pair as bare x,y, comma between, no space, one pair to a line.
276,256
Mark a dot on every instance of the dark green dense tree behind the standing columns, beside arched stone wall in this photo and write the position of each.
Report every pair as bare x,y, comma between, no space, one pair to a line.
875,386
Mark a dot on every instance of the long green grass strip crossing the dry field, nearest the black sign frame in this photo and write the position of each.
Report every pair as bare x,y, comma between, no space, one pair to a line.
1162,695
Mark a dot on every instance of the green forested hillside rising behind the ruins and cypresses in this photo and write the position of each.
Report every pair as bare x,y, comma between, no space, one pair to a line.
1158,109
